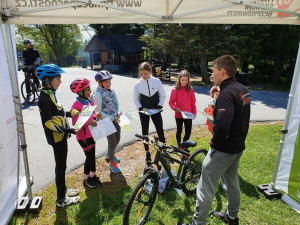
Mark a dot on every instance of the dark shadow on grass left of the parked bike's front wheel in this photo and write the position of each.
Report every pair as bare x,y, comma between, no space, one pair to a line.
104,203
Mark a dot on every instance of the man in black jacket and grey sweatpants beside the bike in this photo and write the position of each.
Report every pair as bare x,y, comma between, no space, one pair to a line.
231,124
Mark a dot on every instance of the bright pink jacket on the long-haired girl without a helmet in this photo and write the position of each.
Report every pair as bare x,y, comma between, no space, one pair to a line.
183,100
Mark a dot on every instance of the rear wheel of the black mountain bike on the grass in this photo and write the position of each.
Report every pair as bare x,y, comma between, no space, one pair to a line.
191,175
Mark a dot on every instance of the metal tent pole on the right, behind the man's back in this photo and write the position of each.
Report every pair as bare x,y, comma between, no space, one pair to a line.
287,116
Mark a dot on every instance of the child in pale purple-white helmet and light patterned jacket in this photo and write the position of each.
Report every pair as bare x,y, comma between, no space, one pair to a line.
108,105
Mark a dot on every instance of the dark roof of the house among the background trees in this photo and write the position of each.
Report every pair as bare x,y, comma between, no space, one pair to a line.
116,43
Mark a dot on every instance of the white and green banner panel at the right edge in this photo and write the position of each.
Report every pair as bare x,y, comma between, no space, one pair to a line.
288,175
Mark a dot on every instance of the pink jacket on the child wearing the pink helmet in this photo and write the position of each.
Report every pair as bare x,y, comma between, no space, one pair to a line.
84,132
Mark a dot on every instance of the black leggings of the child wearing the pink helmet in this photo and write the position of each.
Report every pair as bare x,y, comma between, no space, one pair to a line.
88,146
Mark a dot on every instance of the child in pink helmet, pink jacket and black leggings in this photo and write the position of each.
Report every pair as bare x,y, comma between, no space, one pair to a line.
81,86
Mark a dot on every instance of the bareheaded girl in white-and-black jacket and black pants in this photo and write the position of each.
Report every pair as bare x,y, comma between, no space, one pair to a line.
149,93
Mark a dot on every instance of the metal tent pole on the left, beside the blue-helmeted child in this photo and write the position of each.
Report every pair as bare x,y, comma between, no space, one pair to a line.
18,109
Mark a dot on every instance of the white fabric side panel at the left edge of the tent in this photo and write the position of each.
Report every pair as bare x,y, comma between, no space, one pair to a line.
8,141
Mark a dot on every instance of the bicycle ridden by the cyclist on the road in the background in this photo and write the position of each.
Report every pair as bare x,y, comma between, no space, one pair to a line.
33,88
